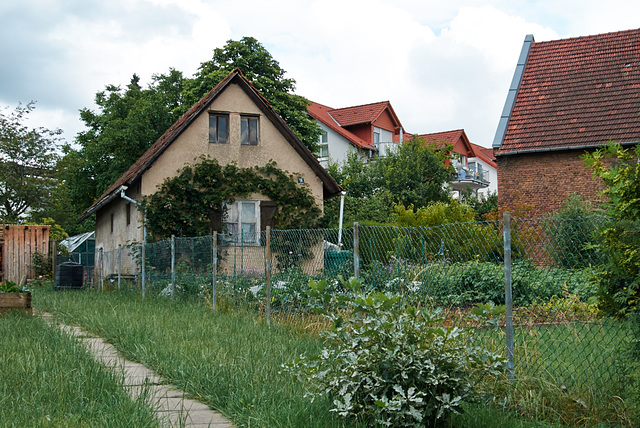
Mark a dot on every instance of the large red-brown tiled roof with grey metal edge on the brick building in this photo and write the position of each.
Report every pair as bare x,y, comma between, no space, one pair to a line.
573,94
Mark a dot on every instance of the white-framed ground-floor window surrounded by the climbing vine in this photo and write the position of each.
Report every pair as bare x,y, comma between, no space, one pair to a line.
236,221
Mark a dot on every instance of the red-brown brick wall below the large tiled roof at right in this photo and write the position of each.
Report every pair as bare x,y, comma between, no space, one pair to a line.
543,181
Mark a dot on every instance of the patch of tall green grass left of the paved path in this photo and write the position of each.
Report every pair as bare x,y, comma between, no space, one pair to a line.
49,380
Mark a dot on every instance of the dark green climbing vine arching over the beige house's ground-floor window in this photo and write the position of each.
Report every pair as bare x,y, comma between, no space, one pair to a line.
192,203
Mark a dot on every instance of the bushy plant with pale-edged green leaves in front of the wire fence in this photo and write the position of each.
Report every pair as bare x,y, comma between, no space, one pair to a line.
390,363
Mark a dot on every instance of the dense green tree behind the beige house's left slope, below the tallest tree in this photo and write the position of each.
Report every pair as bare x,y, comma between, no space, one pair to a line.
127,123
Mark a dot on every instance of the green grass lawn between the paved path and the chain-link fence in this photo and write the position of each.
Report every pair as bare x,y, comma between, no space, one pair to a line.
231,361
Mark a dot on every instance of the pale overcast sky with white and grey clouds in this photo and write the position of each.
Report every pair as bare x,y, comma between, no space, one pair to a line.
443,65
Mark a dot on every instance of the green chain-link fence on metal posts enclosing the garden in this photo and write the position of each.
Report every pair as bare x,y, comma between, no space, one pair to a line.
555,330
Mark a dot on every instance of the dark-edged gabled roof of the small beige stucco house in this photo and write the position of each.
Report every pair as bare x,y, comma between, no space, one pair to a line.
330,186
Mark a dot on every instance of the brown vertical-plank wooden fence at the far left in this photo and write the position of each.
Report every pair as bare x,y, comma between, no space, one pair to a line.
18,243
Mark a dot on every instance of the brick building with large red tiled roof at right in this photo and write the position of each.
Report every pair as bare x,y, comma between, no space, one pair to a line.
567,97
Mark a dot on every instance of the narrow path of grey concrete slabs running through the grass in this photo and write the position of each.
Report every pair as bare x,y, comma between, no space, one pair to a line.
172,407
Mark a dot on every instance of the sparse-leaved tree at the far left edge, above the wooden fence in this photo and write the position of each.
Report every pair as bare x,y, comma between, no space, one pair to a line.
28,158
